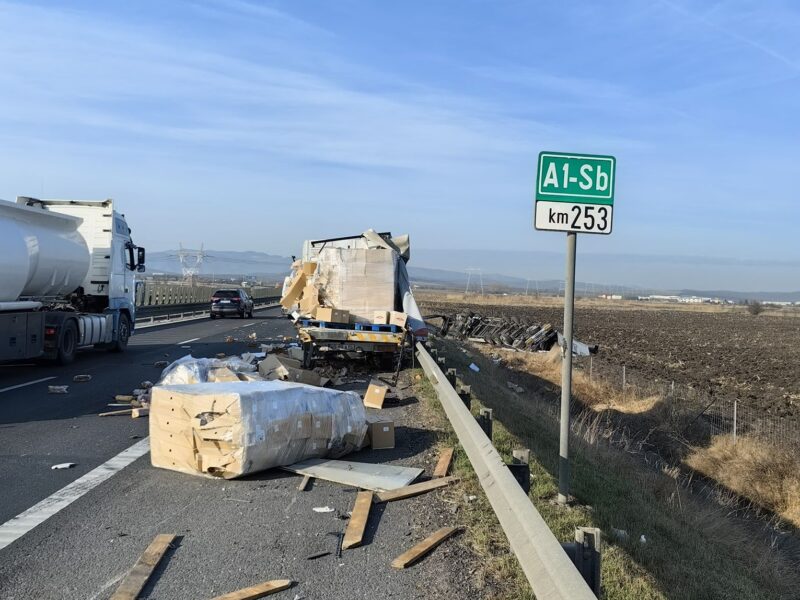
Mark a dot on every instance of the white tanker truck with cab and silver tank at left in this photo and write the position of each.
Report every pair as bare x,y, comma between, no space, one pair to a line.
67,278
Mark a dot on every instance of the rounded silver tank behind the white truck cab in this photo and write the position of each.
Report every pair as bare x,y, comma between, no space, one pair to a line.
41,253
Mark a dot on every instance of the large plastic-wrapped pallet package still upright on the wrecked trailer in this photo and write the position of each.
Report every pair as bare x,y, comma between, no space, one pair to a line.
359,280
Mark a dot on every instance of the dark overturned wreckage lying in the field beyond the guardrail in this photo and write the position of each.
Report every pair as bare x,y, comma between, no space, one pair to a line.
513,333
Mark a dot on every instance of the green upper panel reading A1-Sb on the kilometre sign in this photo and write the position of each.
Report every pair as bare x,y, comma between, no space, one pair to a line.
583,178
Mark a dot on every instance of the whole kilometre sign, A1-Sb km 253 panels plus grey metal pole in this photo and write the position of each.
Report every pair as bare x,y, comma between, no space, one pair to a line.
575,194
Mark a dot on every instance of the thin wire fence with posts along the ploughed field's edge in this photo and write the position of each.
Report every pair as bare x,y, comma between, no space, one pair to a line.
703,407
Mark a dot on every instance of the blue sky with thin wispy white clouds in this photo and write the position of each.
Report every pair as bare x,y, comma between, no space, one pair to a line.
253,126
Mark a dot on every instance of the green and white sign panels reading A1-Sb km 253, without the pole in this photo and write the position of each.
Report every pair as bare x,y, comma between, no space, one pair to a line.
575,192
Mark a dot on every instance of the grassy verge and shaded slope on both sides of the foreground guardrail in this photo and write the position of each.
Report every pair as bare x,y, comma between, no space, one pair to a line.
690,549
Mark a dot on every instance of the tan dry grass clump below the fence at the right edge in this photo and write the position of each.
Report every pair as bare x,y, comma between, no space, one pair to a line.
765,474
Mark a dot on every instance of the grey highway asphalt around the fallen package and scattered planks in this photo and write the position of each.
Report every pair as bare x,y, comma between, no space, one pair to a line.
232,533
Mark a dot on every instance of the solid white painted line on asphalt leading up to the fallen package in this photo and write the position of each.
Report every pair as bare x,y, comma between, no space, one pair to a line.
15,528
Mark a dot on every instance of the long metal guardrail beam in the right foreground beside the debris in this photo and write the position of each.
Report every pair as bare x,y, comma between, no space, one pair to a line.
549,570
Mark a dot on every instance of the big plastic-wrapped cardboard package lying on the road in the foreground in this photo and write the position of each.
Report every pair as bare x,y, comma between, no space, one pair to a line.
232,429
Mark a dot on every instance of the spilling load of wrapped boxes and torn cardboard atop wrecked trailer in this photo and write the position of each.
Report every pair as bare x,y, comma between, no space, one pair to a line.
357,280
